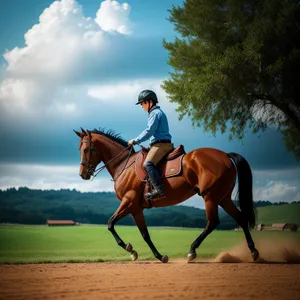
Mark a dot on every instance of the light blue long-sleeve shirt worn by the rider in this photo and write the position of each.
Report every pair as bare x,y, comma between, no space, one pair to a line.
157,129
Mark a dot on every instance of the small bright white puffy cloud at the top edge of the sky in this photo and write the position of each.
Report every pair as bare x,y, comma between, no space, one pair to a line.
113,16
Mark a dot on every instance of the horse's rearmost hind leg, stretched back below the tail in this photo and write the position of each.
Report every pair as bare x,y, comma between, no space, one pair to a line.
232,210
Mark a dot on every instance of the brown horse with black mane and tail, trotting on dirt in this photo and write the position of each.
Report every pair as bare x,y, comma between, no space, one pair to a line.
209,172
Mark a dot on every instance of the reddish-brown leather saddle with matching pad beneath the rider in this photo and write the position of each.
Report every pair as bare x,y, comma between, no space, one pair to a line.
169,166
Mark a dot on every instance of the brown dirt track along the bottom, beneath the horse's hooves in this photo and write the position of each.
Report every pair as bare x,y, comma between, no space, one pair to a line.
151,280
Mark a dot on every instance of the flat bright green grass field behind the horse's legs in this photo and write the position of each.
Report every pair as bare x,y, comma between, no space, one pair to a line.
41,244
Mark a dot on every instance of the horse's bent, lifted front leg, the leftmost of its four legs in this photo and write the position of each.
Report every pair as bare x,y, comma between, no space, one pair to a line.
122,211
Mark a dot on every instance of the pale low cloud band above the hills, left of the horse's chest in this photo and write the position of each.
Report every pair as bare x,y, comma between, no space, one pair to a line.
50,177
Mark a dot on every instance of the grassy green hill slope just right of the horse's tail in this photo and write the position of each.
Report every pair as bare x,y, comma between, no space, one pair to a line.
286,213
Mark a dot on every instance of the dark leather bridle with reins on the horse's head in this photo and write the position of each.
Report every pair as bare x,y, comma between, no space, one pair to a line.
91,169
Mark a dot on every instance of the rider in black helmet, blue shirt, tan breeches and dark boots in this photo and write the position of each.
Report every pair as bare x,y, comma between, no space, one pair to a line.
160,140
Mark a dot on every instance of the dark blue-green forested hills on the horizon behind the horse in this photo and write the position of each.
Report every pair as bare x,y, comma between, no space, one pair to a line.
27,206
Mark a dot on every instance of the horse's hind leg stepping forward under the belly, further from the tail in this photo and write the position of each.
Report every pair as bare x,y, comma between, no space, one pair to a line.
212,222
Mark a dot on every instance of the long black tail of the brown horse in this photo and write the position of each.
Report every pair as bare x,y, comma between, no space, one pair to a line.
244,195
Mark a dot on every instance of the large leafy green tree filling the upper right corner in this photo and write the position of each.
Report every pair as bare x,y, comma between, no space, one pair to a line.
236,65
